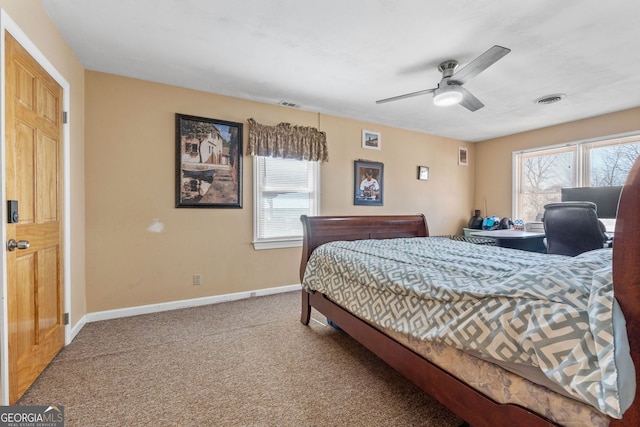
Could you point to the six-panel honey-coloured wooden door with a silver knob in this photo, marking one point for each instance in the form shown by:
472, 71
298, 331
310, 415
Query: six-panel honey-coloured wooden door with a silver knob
35, 302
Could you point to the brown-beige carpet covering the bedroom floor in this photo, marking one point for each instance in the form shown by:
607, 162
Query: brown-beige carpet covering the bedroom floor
242, 363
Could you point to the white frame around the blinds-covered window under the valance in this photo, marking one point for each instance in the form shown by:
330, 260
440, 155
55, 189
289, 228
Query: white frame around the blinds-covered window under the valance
284, 241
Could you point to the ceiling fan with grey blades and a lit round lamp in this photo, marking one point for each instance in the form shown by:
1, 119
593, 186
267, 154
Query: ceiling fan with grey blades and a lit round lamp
450, 91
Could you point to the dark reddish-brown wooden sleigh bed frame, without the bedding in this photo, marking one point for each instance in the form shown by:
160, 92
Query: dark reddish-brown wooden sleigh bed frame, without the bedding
469, 404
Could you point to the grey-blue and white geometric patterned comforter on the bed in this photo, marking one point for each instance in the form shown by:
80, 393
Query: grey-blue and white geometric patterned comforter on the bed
549, 311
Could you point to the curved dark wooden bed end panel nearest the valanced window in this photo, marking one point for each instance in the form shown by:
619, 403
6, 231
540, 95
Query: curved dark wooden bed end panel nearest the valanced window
319, 230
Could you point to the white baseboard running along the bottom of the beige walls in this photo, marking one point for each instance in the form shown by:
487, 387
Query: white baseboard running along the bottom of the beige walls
173, 305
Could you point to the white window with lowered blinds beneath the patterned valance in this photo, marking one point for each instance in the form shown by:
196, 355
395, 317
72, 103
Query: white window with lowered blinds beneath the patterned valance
284, 189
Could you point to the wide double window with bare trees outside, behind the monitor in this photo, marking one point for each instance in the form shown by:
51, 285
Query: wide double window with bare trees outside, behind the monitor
541, 173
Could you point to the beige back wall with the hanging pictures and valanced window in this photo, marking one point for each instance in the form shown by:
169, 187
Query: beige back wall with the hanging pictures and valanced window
130, 157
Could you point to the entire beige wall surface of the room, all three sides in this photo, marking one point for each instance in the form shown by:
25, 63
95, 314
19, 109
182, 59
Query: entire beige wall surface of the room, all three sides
130, 180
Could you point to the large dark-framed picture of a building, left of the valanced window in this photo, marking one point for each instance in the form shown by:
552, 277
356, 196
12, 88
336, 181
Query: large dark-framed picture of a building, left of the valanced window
208, 163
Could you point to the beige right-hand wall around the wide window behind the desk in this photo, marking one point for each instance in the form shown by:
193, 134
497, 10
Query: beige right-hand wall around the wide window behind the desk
493, 181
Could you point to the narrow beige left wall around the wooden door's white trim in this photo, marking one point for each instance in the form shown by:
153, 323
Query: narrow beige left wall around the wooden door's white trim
35, 23
